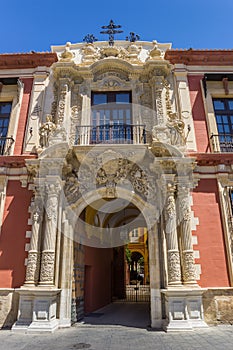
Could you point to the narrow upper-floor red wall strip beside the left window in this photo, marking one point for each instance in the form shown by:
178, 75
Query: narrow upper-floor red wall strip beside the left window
23, 115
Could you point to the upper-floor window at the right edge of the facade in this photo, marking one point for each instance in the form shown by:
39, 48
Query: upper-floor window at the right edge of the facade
224, 118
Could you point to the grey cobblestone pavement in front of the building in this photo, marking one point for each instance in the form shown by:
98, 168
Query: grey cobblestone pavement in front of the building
97, 337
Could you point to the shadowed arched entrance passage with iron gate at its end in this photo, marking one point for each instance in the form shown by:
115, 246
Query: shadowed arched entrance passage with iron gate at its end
116, 247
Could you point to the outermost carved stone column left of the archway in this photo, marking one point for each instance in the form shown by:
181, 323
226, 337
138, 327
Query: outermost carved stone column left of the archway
33, 263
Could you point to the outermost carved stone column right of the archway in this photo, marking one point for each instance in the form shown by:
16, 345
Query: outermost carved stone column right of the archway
188, 264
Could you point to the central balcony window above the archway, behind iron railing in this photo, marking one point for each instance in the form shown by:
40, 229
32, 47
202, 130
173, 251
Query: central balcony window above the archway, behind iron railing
111, 117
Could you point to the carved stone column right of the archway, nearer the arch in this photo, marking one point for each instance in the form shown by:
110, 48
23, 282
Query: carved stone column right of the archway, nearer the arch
173, 255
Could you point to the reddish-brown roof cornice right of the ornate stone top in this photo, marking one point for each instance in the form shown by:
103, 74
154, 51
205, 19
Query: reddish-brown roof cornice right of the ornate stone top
200, 57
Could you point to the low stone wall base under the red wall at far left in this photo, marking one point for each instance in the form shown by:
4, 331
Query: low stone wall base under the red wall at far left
9, 301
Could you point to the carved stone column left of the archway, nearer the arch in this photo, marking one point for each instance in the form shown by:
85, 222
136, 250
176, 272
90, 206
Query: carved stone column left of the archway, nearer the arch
50, 232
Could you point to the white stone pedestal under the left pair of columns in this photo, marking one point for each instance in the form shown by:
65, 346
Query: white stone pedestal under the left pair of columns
37, 310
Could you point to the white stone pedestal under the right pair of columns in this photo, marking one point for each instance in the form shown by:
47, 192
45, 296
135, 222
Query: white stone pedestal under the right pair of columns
184, 309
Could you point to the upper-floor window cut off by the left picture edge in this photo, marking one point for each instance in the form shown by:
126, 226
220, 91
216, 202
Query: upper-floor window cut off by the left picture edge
5, 143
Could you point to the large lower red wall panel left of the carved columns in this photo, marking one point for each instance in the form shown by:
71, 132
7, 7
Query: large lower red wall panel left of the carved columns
12, 237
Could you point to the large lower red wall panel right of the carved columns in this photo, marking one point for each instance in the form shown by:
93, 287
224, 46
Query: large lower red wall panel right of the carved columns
210, 237
